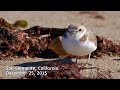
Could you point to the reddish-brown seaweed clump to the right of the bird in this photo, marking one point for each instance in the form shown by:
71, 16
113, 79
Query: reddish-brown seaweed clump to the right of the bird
107, 47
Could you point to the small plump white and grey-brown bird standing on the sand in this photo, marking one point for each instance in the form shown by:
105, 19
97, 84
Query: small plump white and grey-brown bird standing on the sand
79, 41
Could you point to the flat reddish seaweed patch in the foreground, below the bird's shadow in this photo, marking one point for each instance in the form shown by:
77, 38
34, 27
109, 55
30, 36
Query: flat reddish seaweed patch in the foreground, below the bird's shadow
65, 71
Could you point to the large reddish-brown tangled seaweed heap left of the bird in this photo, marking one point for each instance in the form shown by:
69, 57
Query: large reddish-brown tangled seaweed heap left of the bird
15, 42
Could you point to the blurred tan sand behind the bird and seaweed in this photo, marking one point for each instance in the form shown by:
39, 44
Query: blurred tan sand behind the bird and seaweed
104, 23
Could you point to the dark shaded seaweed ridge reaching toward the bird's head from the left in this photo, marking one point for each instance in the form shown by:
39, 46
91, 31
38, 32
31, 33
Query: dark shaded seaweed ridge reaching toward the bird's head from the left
37, 31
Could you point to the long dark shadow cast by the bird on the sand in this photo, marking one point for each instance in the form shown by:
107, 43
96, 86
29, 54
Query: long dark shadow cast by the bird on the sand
35, 64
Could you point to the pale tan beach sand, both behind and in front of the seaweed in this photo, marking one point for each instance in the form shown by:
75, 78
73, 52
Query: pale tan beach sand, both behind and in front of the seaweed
108, 28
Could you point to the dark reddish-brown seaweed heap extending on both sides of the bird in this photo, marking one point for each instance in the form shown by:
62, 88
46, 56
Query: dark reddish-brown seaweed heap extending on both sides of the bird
33, 42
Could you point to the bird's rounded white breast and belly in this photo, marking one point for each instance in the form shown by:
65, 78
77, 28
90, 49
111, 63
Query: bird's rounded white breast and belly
77, 48
